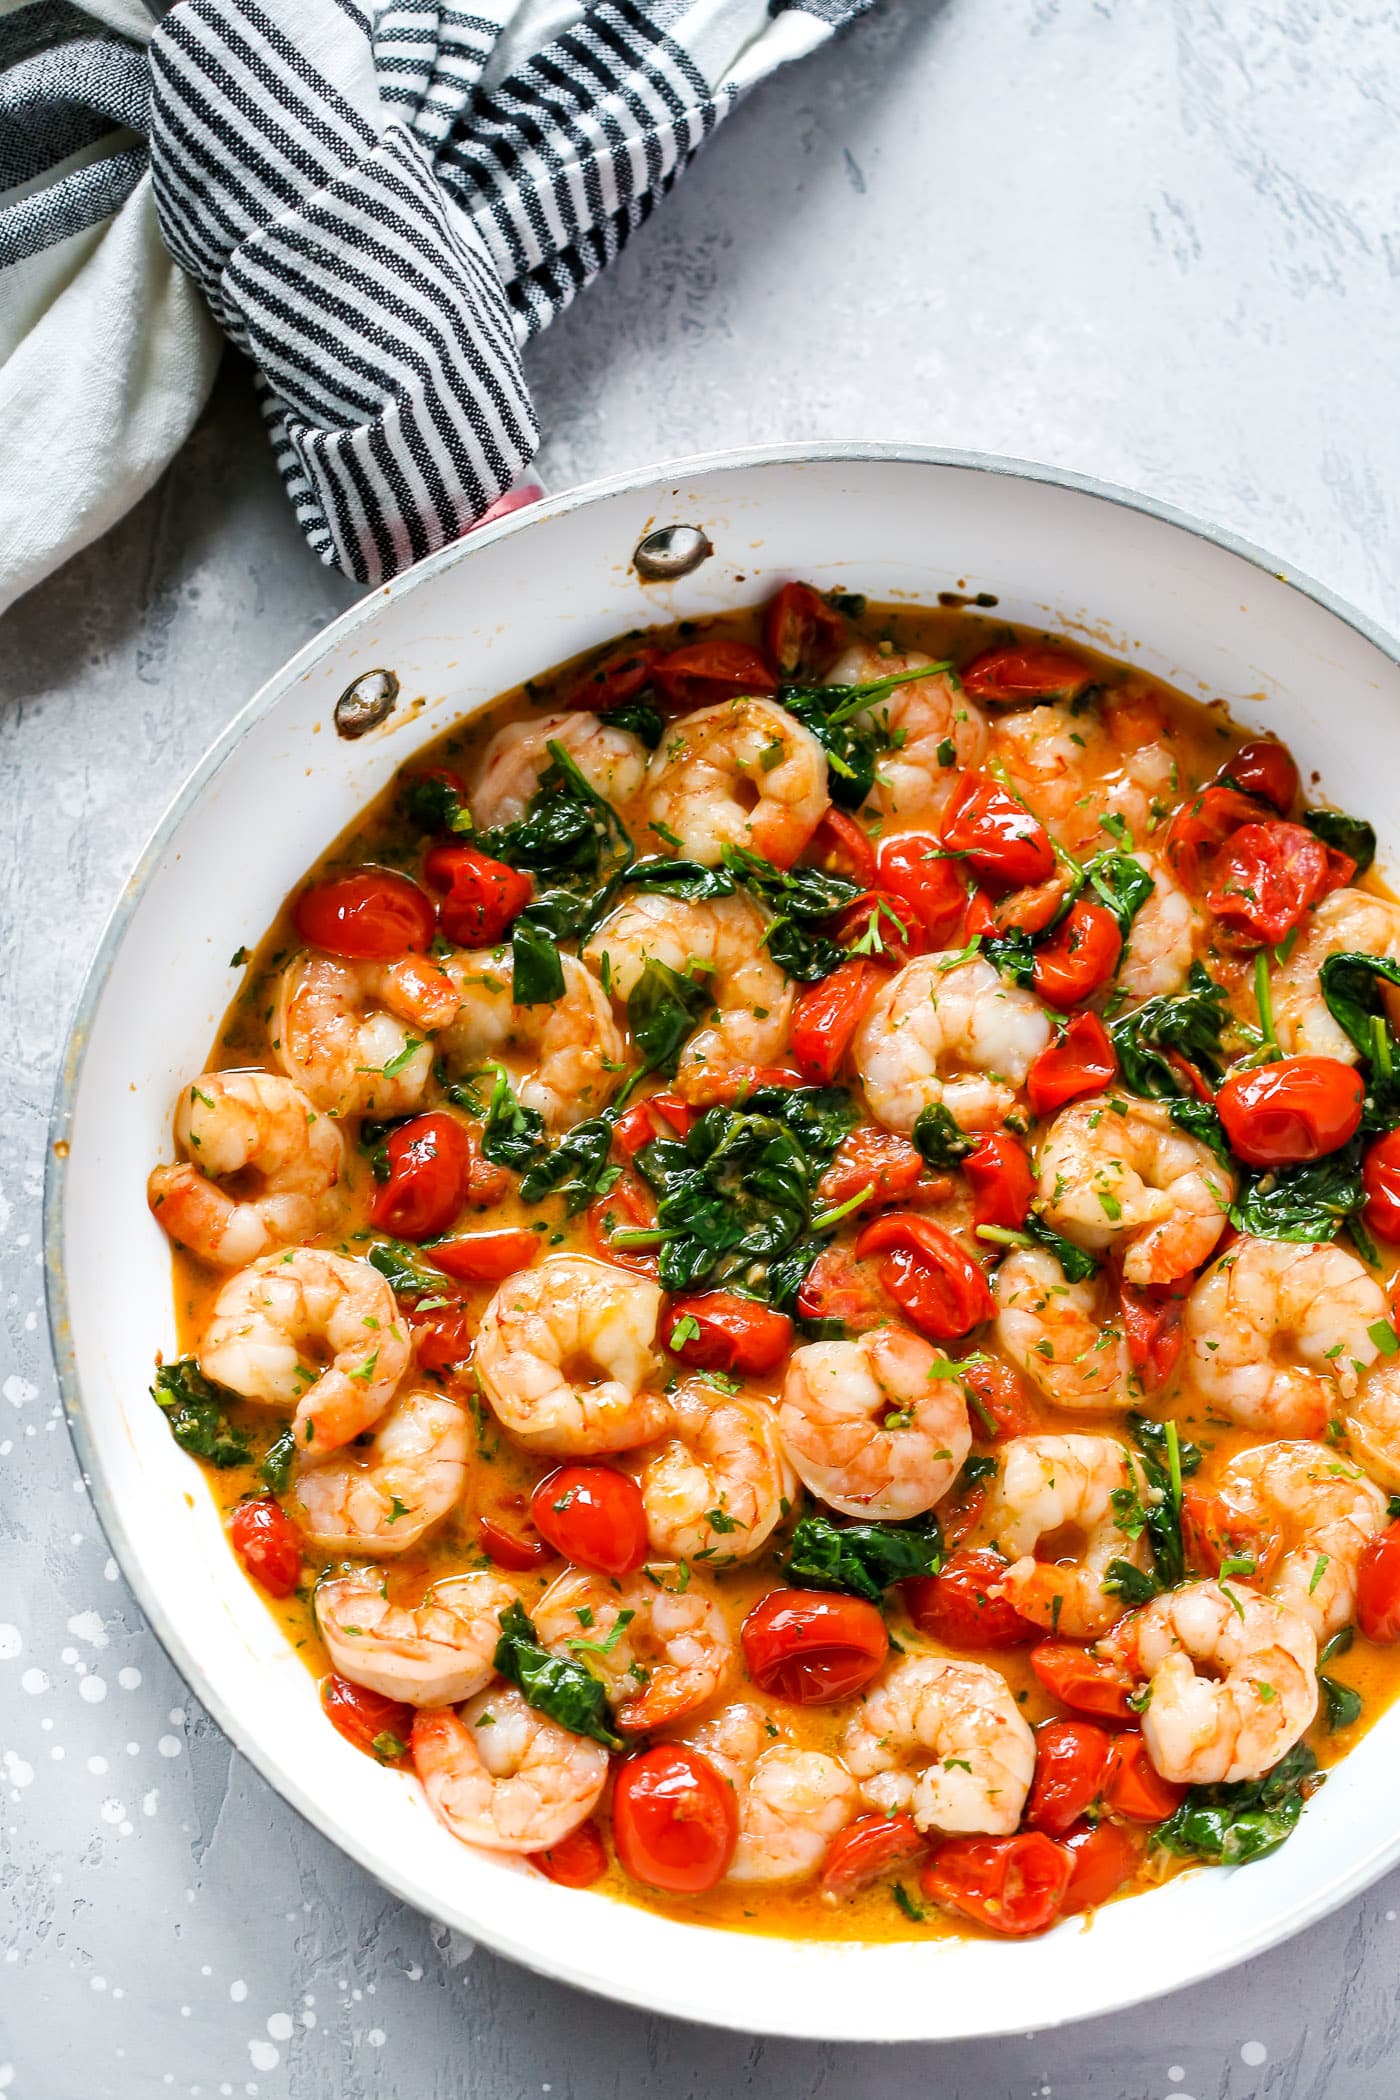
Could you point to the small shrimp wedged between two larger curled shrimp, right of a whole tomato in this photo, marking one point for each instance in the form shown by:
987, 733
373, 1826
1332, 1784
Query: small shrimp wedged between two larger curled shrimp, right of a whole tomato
721, 1484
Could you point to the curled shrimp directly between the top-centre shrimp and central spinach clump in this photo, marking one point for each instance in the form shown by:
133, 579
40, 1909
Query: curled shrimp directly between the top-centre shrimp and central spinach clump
719, 942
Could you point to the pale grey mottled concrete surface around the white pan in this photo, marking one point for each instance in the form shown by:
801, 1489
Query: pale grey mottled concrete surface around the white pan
1149, 243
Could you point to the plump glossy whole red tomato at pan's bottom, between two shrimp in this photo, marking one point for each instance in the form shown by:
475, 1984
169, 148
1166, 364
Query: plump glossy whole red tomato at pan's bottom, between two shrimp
675, 1820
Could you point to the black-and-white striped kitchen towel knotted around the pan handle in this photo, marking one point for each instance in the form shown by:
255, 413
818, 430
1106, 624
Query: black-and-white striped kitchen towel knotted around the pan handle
381, 207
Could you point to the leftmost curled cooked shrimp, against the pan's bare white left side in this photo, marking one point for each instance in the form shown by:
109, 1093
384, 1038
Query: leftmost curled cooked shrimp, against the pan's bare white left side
259, 1133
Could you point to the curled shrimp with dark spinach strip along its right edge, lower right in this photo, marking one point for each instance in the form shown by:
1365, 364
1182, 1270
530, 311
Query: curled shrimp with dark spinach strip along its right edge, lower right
1072, 1494
